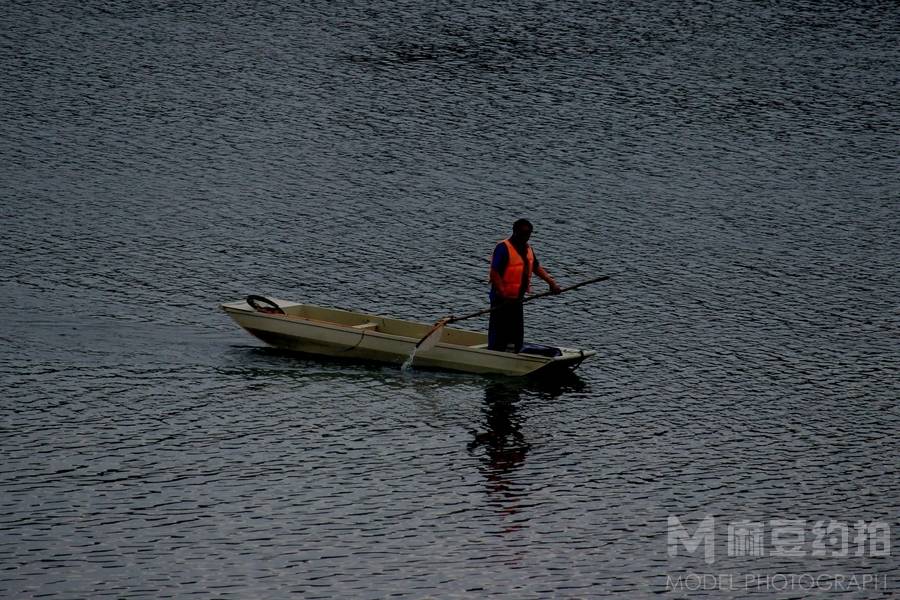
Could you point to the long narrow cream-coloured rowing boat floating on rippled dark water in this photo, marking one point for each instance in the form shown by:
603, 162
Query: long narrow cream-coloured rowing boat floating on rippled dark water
332, 332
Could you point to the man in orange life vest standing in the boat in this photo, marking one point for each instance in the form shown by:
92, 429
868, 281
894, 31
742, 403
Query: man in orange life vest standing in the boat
512, 264
